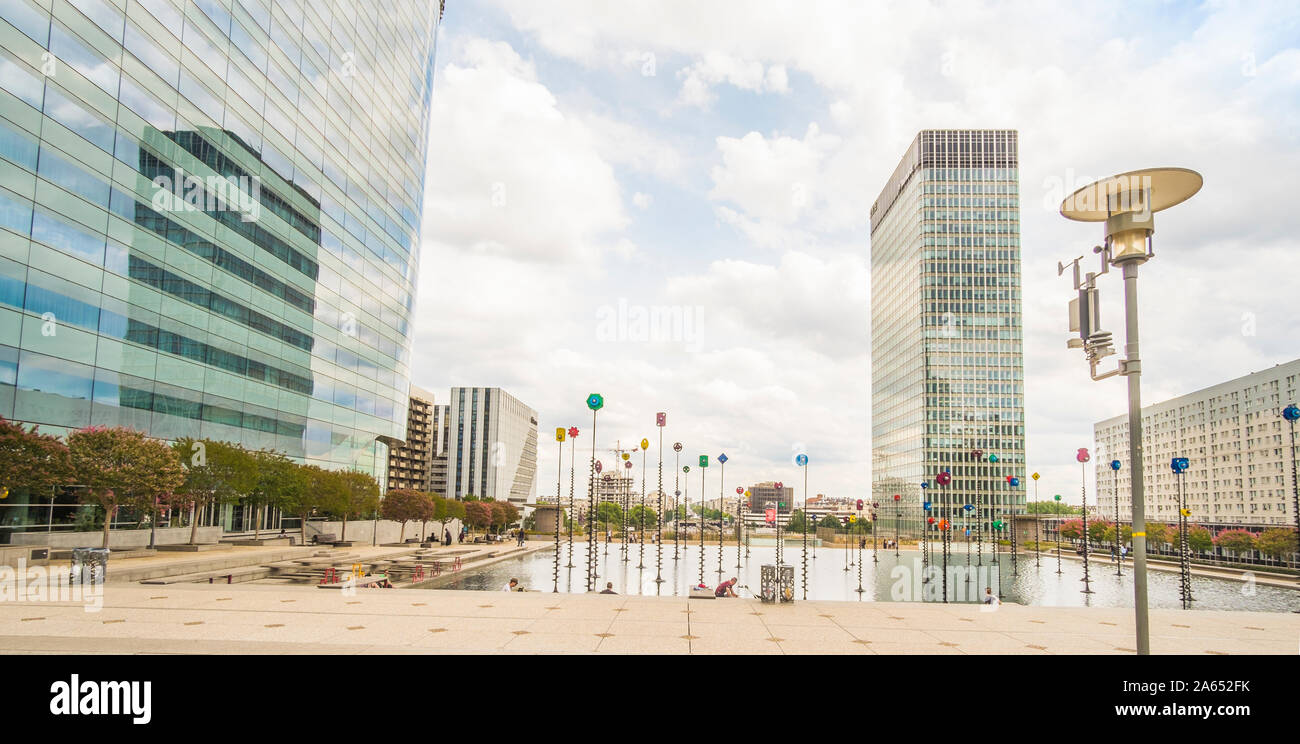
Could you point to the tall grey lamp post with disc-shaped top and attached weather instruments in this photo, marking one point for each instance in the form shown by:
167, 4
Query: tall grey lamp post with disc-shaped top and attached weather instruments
1126, 204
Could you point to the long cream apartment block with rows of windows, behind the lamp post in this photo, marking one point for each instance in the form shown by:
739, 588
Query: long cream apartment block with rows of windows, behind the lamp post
1236, 442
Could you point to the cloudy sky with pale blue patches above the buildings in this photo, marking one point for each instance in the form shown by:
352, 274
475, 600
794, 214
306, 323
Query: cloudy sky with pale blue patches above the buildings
669, 204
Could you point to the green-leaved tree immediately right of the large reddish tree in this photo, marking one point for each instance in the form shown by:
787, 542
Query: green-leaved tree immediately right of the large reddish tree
215, 473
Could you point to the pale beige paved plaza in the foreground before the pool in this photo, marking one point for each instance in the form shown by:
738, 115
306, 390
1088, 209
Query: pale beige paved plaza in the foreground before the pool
291, 620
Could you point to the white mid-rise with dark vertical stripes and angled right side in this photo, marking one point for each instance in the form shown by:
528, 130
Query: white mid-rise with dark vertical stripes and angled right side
492, 452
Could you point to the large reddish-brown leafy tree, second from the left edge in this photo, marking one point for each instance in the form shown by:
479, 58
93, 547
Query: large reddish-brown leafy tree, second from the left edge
123, 468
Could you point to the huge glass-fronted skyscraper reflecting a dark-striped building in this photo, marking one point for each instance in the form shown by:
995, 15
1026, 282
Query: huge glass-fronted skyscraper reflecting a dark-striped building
210, 218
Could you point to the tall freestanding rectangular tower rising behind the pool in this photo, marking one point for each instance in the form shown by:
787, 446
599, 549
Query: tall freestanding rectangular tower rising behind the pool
947, 362
